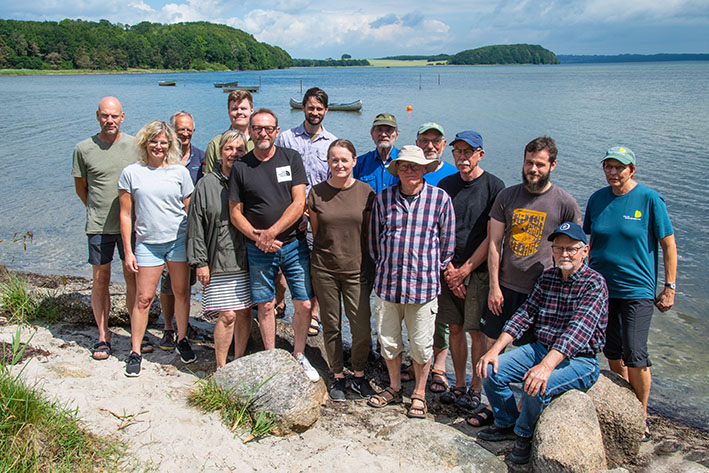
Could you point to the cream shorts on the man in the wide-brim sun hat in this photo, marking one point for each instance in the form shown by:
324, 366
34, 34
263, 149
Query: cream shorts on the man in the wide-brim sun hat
420, 320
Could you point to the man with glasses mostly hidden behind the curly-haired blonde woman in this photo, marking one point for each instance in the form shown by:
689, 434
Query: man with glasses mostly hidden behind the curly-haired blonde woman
193, 159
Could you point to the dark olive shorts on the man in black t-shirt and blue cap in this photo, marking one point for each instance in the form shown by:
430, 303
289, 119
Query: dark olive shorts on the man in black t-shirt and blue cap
466, 312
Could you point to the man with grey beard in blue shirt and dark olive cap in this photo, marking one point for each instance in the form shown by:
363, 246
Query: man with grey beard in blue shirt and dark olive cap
372, 167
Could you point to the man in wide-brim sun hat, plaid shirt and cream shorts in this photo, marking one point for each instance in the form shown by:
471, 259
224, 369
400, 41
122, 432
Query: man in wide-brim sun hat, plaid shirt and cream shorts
411, 240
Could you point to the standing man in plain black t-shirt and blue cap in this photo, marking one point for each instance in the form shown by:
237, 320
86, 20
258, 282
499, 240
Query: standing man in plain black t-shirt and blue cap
465, 281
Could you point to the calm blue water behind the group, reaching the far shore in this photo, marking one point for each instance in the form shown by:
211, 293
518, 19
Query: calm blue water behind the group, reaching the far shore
657, 109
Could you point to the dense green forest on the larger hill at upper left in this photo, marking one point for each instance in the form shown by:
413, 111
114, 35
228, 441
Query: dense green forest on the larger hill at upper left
78, 44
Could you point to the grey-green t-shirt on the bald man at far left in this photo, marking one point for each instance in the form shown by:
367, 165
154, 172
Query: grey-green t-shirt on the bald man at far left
101, 164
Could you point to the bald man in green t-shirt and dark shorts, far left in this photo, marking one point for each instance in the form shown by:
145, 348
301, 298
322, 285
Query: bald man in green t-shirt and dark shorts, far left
97, 165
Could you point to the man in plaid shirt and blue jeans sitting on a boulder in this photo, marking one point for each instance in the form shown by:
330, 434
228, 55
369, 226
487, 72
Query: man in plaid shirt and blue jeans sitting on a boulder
568, 311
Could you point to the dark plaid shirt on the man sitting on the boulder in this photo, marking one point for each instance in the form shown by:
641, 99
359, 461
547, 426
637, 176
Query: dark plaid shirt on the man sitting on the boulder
568, 316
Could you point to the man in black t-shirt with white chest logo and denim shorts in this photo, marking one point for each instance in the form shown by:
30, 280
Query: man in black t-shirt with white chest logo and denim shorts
266, 203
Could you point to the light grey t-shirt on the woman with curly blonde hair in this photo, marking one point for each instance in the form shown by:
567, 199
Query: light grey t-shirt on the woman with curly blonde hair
157, 194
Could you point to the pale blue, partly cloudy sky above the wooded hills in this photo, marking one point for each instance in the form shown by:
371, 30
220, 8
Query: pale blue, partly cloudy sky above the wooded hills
320, 29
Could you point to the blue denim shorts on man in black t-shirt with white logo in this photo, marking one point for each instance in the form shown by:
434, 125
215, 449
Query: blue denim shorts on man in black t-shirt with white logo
294, 261
